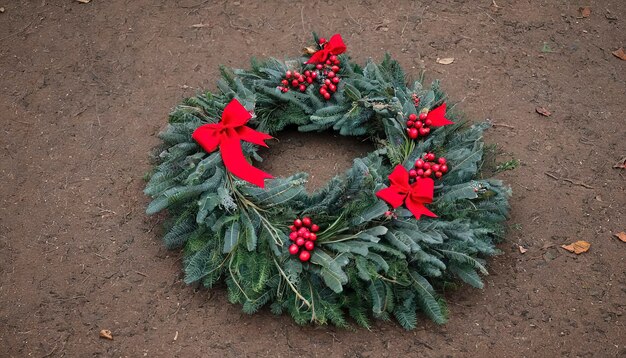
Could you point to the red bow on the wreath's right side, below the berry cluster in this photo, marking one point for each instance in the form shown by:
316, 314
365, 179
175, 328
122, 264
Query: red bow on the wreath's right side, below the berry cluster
413, 196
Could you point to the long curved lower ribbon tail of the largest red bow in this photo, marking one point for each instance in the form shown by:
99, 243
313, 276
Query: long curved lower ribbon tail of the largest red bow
236, 163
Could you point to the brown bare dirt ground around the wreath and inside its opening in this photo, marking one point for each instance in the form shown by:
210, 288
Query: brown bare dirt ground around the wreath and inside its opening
85, 88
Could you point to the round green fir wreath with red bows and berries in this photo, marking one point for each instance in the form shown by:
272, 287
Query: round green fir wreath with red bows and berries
412, 216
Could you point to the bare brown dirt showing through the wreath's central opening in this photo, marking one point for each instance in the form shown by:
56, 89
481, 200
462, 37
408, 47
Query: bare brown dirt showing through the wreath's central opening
321, 155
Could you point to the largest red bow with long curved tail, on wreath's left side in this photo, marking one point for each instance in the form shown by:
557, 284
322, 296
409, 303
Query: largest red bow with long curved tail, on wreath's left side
227, 134
